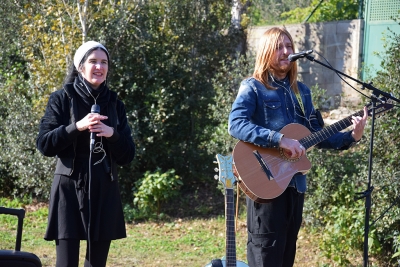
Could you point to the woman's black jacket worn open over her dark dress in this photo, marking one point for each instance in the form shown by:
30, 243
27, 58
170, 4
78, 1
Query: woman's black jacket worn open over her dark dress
58, 133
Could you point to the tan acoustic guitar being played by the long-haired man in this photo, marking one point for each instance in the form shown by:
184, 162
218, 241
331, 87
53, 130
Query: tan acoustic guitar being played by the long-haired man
265, 173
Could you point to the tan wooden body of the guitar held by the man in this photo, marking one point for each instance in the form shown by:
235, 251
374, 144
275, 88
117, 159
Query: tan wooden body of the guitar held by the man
260, 185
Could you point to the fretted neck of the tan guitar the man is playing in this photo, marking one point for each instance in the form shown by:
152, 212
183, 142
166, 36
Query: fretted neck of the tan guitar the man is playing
325, 133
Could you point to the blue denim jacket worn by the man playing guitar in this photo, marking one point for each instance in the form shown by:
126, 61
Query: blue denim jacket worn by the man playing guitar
259, 113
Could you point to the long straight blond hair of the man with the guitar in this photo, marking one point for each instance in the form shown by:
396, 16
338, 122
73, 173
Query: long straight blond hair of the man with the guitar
267, 45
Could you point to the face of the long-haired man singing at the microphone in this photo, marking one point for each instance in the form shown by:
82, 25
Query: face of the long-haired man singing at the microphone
280, 62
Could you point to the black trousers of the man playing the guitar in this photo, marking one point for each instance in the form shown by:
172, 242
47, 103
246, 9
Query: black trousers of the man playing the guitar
273, 228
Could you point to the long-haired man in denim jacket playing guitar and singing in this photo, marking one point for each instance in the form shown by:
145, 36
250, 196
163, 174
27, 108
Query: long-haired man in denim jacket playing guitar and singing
266, 102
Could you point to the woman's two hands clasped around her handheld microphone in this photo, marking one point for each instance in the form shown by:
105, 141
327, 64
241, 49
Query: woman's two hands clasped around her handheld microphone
92, 122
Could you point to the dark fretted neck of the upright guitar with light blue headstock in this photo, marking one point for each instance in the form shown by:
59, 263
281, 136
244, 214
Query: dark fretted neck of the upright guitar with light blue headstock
230, 228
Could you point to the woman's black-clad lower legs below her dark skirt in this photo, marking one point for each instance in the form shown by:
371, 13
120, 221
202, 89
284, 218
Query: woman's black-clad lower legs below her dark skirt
68, 253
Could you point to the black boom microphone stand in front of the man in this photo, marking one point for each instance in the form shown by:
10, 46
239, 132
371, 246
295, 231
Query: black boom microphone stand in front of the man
367, 193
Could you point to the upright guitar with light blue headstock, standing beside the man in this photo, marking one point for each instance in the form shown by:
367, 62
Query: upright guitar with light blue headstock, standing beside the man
227, 178
